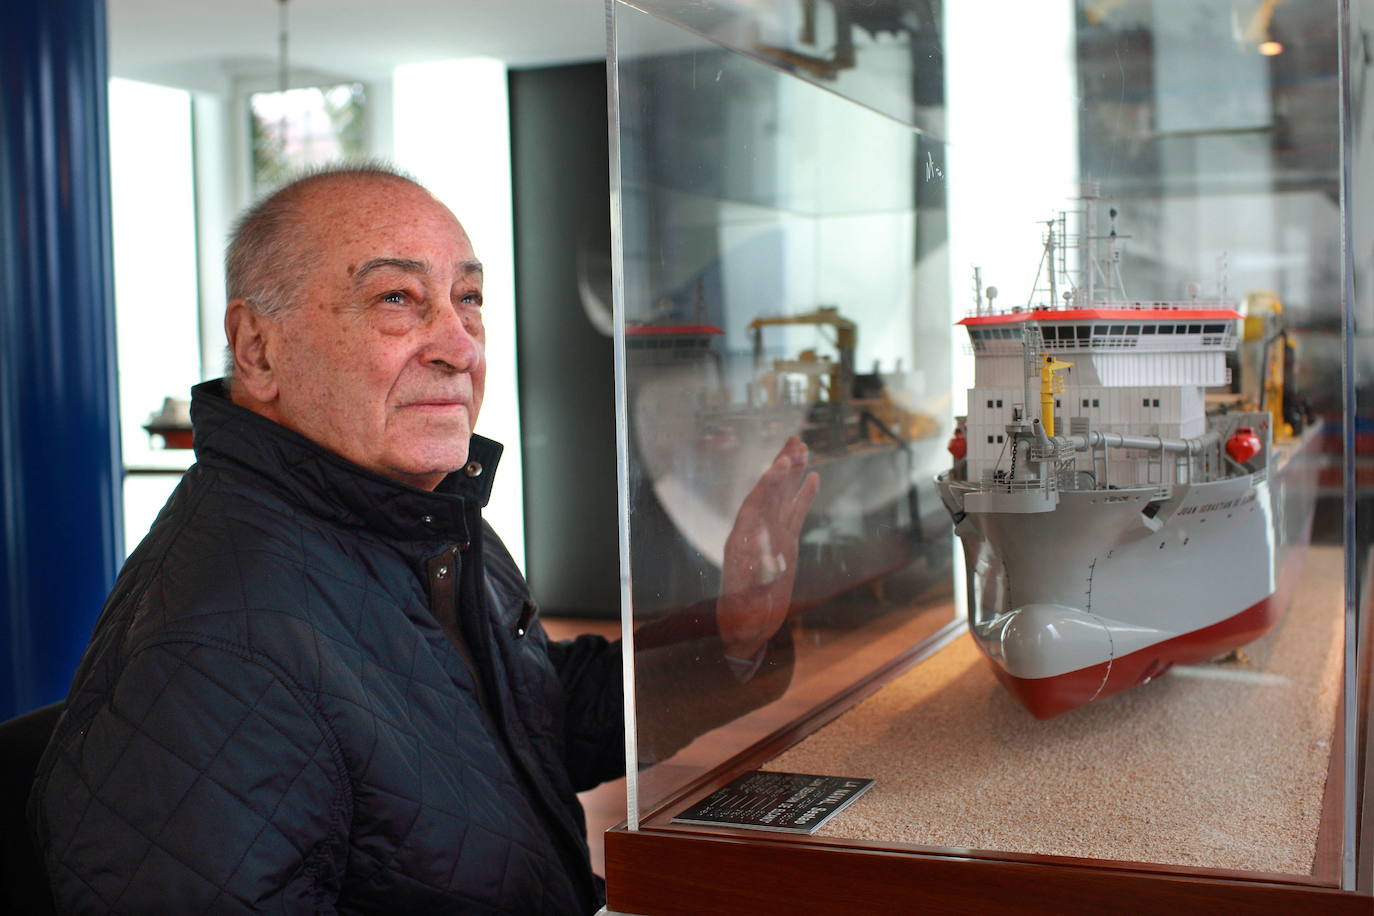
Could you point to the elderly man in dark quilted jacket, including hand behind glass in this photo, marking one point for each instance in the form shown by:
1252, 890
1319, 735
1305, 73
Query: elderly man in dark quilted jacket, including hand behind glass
319, 683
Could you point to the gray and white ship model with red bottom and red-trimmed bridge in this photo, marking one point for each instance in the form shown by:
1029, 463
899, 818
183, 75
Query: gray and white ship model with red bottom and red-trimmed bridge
1115, 523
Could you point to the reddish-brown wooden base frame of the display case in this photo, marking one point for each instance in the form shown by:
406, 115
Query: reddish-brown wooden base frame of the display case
668, 869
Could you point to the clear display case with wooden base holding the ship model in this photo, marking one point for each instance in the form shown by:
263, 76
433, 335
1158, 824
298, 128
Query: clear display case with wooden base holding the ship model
994, 400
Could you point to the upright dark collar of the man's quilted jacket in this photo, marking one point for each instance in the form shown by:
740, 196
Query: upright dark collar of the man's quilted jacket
335, 488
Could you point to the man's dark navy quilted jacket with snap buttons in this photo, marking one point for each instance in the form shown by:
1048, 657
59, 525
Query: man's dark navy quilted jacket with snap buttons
273, 715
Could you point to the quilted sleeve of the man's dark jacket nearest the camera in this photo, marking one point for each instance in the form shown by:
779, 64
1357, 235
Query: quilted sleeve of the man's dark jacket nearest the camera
201, 782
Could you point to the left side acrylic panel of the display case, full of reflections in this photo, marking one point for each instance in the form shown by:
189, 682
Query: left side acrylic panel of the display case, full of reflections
776, 240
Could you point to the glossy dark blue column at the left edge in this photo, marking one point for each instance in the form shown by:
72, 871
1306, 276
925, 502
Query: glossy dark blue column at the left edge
60, 461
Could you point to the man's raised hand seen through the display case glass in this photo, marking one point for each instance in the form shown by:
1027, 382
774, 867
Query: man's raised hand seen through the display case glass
761, 565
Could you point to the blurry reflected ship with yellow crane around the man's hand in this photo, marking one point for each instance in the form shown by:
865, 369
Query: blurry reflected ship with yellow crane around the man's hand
704, 444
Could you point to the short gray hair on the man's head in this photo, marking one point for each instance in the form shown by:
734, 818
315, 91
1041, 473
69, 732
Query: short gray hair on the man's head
269, 256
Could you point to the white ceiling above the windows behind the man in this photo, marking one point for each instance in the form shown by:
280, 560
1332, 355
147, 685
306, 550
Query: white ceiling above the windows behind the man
203, 45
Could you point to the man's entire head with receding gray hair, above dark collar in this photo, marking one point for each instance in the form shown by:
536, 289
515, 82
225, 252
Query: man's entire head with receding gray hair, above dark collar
357, 322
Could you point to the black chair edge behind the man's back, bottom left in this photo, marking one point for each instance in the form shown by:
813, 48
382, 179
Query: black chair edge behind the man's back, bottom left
24, 885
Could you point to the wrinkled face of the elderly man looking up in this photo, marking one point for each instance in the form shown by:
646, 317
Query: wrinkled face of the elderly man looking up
384, 359
